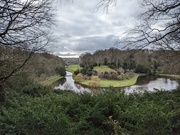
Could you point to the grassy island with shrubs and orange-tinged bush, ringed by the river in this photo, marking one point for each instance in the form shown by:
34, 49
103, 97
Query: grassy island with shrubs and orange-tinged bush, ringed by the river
103, 76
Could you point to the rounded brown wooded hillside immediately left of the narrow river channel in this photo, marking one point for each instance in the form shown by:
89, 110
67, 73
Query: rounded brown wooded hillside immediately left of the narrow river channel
43, 65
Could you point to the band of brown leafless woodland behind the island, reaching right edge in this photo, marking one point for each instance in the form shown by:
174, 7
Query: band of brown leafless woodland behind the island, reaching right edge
145, 61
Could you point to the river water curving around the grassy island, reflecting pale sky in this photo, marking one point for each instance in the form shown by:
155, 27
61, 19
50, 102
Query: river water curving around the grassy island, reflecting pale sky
148, 83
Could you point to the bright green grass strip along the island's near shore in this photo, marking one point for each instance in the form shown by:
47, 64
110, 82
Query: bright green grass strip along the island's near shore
115, 83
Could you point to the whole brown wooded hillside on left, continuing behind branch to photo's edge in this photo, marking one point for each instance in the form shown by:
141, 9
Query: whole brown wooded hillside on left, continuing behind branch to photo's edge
39, 66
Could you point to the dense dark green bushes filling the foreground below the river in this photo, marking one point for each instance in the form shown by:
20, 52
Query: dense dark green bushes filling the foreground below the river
105, 113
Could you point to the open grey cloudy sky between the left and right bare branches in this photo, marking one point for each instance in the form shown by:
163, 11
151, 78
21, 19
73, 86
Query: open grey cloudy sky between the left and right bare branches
80, 27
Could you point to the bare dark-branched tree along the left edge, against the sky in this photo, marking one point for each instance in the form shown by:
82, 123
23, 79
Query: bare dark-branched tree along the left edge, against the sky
23, 27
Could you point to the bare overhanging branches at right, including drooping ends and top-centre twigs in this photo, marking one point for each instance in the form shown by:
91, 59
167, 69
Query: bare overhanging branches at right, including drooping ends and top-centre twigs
158, 28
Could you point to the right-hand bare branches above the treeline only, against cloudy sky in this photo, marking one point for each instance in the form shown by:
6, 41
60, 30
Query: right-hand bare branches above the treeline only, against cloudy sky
159, 25
